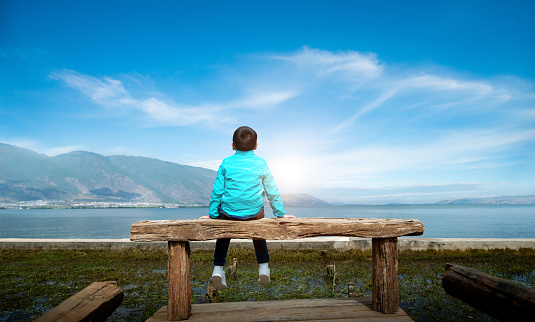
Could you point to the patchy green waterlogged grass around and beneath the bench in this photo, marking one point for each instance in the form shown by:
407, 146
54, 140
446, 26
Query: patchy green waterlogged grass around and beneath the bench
34, 281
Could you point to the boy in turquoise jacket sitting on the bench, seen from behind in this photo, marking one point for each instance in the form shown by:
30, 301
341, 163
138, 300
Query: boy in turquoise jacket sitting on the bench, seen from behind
242, 180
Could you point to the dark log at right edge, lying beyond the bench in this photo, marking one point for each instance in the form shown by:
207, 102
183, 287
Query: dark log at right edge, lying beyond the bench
499, 298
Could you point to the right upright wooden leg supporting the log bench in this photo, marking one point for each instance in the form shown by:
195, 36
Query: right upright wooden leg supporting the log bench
385, 275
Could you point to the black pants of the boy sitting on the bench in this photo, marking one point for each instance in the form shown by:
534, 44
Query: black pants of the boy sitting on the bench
222, 244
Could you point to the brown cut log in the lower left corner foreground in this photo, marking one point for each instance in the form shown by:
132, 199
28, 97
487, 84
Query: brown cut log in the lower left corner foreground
94, 303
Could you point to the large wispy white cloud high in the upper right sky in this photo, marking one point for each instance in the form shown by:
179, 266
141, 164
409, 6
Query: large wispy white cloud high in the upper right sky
366, 86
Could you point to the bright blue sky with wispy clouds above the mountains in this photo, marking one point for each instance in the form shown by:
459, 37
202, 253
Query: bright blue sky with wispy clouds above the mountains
354, 101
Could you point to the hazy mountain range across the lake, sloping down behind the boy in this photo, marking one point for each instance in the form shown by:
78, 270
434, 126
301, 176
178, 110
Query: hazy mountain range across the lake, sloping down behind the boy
82, 176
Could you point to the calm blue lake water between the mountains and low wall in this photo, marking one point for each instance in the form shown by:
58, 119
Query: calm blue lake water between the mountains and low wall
440, 221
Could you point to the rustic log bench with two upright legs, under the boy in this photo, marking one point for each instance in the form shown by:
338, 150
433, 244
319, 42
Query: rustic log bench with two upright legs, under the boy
178, 234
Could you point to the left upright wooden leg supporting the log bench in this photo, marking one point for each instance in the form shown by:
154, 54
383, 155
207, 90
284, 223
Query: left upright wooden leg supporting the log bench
179, 307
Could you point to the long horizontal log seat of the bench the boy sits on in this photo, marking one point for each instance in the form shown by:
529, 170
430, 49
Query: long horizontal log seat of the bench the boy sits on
272, 228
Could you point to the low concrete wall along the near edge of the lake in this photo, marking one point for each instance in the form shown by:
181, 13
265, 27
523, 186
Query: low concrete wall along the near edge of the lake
318, 243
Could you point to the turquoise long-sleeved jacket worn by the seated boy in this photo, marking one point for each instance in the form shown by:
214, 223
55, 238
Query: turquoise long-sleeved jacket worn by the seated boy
242, 180
